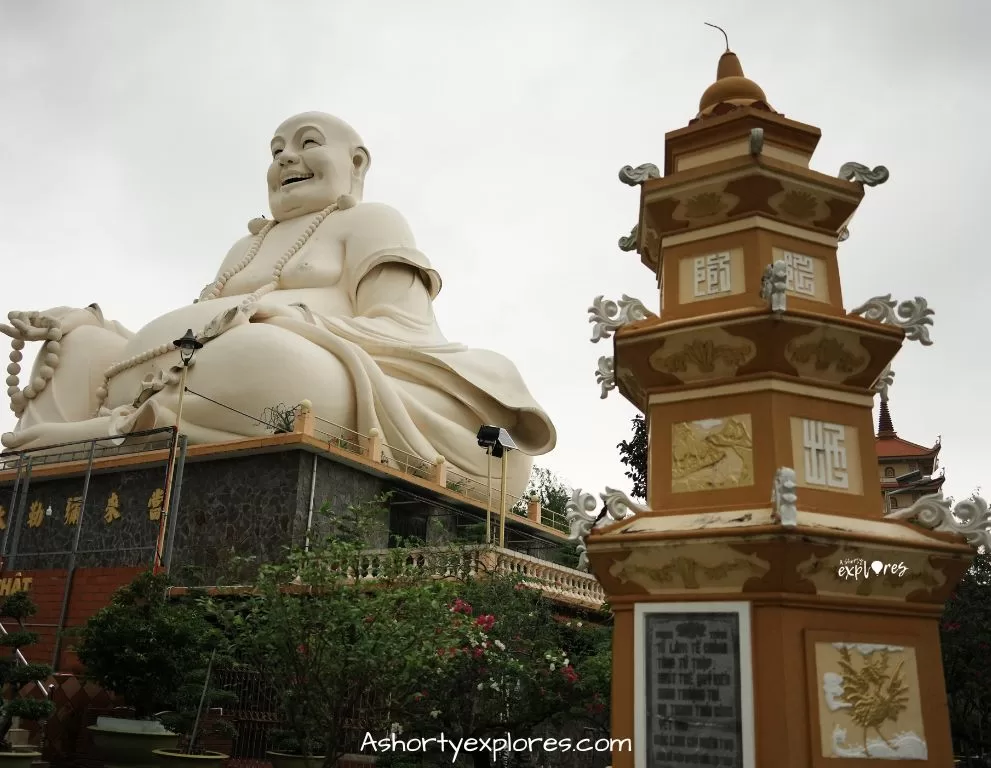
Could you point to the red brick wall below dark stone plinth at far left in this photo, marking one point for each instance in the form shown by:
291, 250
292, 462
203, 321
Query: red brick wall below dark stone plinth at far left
91, 591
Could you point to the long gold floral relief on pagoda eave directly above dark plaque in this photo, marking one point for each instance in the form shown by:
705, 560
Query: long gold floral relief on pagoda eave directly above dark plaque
690, 570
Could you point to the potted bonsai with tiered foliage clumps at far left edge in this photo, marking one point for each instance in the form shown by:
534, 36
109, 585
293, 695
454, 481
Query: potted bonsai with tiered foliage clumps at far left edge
15, 675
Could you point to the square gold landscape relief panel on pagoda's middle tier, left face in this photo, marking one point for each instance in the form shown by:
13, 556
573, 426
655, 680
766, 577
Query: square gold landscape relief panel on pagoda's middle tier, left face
711, 454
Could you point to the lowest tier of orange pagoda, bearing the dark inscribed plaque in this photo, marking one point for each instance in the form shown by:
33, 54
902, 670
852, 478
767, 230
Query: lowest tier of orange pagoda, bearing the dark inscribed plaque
741, 642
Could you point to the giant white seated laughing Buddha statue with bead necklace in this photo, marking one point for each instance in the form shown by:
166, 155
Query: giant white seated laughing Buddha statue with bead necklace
329, 301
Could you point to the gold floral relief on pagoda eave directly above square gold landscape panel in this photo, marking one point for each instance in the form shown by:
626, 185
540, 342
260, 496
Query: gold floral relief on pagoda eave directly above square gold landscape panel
708, 354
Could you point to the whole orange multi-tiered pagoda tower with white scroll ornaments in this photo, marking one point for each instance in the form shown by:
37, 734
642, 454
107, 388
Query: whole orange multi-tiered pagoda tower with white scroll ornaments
769, 613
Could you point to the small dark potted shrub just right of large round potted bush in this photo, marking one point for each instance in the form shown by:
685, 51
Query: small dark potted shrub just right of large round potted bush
192, 723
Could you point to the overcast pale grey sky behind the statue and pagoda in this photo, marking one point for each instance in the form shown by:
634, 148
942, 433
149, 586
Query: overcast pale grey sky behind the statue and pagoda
134, 143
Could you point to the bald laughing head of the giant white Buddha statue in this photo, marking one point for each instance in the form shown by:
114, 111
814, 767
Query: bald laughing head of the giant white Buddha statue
316, 158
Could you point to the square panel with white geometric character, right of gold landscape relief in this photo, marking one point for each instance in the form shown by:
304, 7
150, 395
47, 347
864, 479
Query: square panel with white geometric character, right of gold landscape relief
826, 456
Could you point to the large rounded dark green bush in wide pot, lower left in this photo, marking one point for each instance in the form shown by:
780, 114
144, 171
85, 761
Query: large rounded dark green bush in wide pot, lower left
141, 647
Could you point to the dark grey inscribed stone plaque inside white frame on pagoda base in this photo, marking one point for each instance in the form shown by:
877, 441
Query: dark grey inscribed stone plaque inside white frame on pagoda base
694, 707
